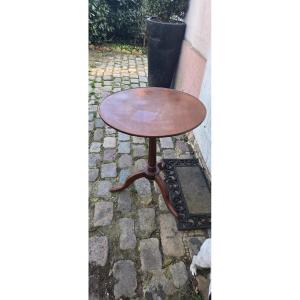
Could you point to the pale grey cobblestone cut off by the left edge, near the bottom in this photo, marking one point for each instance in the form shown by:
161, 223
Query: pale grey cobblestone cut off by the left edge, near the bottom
98, 250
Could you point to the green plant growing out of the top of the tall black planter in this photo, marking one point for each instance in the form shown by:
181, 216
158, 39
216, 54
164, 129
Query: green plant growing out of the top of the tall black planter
167, 10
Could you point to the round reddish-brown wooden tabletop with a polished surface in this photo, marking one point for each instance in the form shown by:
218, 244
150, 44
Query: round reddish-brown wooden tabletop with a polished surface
152, 112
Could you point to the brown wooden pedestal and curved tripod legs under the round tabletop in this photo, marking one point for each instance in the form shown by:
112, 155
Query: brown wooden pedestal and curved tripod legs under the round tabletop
151, 173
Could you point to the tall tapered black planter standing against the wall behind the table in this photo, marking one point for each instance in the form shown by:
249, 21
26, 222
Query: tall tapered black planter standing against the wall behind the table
164, 44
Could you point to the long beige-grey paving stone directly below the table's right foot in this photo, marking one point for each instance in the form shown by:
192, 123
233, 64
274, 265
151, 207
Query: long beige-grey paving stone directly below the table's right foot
171, 238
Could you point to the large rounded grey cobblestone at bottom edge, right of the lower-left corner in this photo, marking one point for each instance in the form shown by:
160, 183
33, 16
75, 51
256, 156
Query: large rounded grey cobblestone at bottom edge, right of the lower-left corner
125, 275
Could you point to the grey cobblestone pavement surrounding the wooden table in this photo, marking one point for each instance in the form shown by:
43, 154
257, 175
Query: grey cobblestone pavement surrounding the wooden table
135, 249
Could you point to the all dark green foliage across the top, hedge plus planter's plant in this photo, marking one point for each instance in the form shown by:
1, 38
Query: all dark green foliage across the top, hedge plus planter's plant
124, 20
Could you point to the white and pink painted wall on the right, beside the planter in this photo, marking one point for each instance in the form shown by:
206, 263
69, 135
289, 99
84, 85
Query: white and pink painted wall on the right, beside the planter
193, 72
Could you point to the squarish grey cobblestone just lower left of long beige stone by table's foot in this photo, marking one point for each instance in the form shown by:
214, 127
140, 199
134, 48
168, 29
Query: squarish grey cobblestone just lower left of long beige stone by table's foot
150, 255
